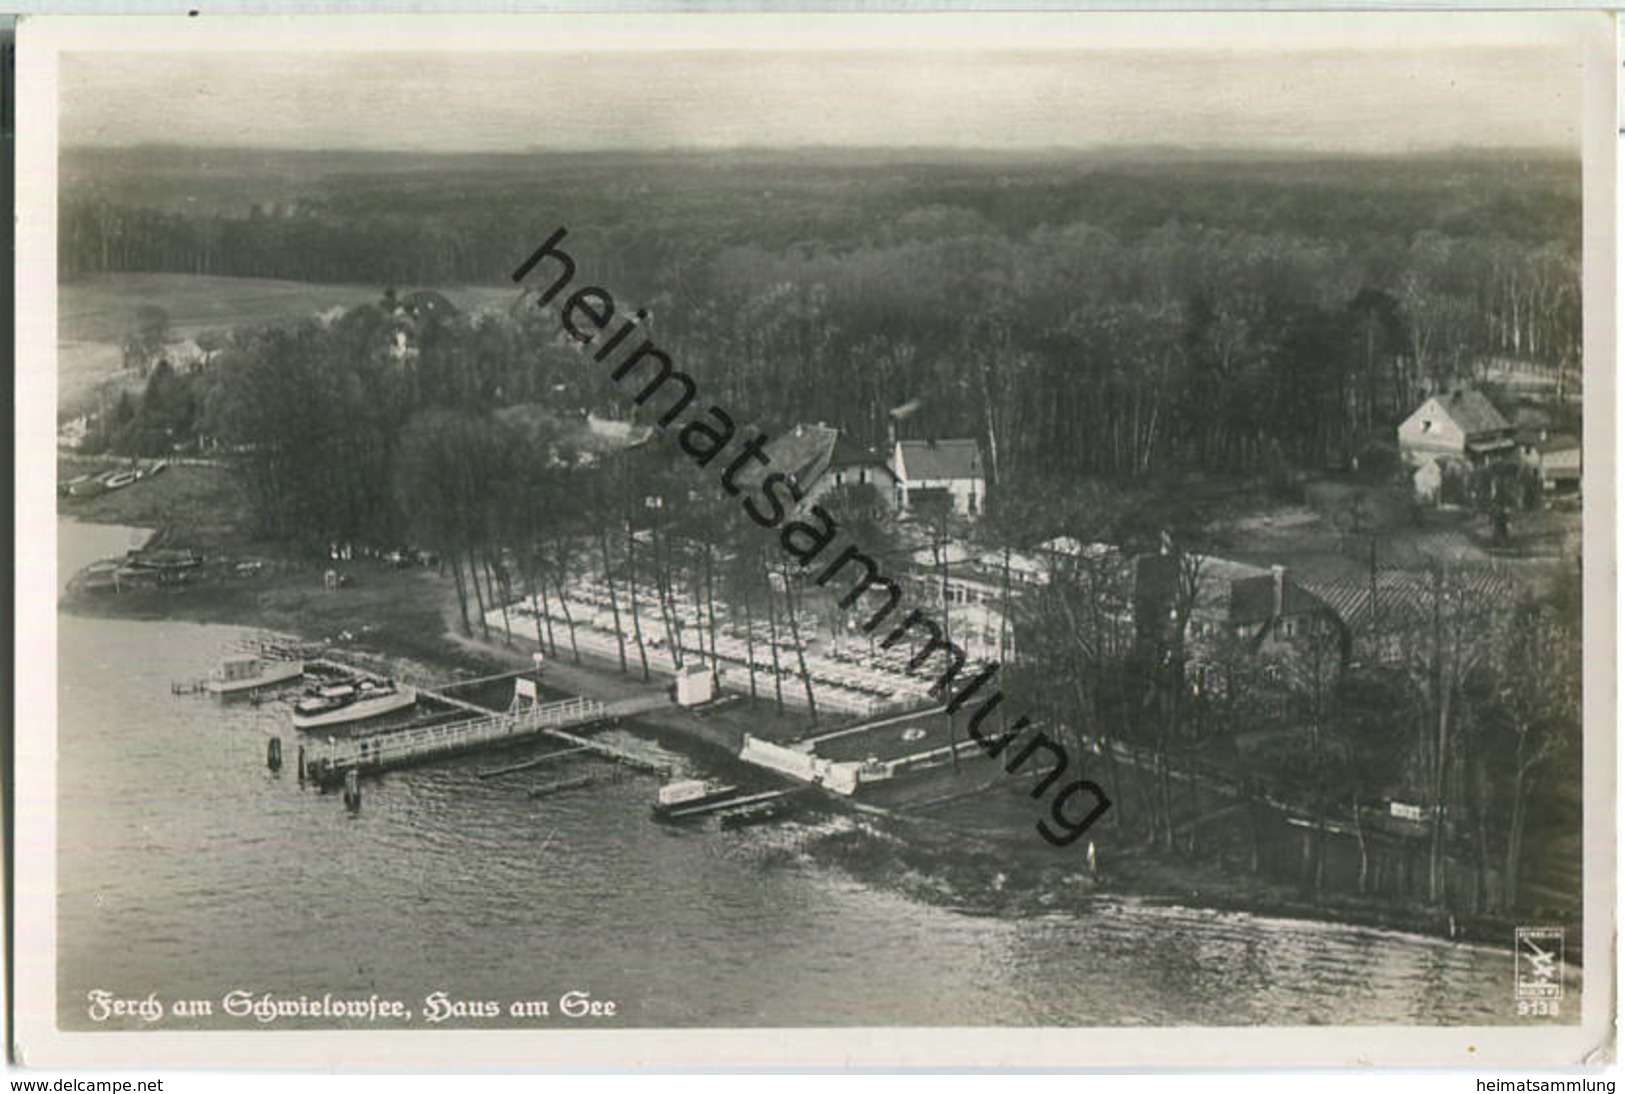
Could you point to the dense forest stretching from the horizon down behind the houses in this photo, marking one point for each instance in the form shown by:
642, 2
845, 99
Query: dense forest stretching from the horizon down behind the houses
1078, 321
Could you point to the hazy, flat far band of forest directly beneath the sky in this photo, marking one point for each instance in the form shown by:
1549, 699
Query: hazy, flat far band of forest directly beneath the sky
347, 217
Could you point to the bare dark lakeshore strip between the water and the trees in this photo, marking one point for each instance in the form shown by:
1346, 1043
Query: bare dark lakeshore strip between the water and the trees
919, 856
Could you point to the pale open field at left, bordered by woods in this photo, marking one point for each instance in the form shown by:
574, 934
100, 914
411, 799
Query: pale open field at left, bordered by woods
95, 315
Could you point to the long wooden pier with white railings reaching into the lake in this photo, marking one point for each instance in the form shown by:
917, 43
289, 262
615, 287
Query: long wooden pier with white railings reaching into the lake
414, 745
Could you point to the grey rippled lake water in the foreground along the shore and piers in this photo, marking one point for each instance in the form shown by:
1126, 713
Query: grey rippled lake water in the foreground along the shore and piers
189, 870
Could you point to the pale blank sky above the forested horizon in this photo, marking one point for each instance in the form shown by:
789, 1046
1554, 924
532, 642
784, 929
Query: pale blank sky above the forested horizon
1395, 89
